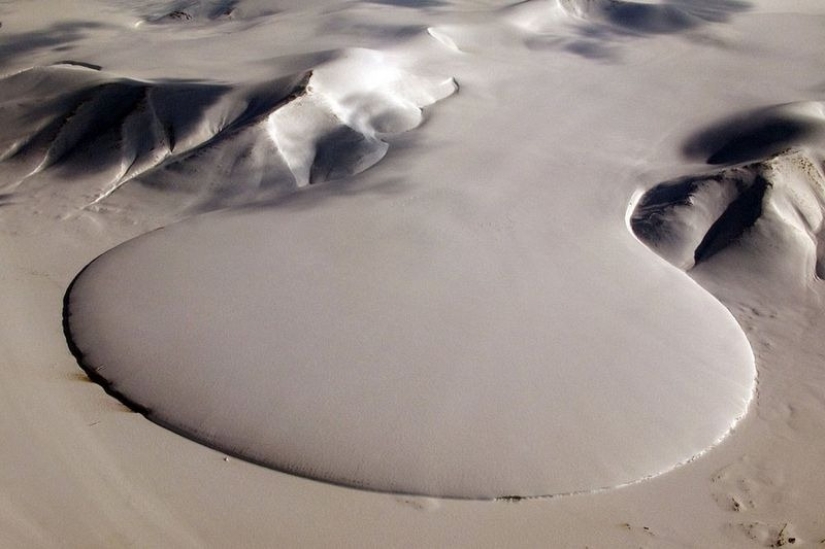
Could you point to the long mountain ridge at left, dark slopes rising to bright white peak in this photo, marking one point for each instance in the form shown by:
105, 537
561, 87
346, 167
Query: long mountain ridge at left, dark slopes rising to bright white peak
212, 144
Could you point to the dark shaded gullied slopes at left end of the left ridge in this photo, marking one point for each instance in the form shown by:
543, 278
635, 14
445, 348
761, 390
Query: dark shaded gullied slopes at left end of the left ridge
87, 127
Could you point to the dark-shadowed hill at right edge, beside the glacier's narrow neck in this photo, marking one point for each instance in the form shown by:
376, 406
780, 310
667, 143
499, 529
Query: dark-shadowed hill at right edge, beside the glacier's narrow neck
691, 219
